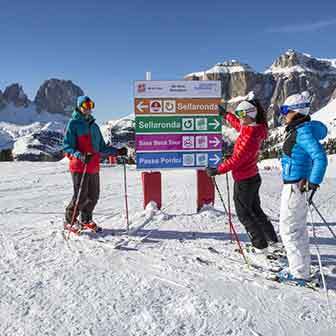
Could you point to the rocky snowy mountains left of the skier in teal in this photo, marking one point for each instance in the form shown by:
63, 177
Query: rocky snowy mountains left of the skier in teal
33, 130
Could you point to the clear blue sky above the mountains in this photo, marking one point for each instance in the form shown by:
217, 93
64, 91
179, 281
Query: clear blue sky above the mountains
104, 45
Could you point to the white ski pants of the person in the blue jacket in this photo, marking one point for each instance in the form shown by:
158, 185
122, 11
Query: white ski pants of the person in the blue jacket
293, 230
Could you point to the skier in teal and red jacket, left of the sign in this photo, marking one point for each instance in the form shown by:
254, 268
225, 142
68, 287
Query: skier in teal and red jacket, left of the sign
83, 143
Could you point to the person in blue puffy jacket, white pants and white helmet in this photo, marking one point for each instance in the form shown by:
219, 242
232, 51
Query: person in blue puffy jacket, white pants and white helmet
304, 163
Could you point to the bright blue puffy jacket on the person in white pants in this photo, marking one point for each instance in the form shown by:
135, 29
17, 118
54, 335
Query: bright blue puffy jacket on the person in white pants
304, 157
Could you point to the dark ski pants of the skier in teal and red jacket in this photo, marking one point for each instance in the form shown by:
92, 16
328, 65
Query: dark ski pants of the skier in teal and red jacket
88, 197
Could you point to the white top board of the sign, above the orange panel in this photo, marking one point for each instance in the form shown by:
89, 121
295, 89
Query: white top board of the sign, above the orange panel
177, 89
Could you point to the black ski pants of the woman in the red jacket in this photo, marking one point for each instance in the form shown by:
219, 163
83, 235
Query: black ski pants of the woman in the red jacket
247, 203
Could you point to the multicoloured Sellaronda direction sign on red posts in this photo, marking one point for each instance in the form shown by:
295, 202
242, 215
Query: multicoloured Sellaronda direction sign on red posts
178, 126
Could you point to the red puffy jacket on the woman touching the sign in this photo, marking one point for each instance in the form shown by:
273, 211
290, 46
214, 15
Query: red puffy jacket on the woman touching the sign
243, 162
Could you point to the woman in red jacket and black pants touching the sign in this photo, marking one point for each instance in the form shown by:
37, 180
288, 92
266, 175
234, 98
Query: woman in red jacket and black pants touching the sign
251, 123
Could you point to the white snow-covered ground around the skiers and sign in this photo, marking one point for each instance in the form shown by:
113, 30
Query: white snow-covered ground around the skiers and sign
49, 286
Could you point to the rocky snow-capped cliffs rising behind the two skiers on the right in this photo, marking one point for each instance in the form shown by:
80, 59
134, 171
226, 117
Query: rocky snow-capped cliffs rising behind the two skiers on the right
292, 72
